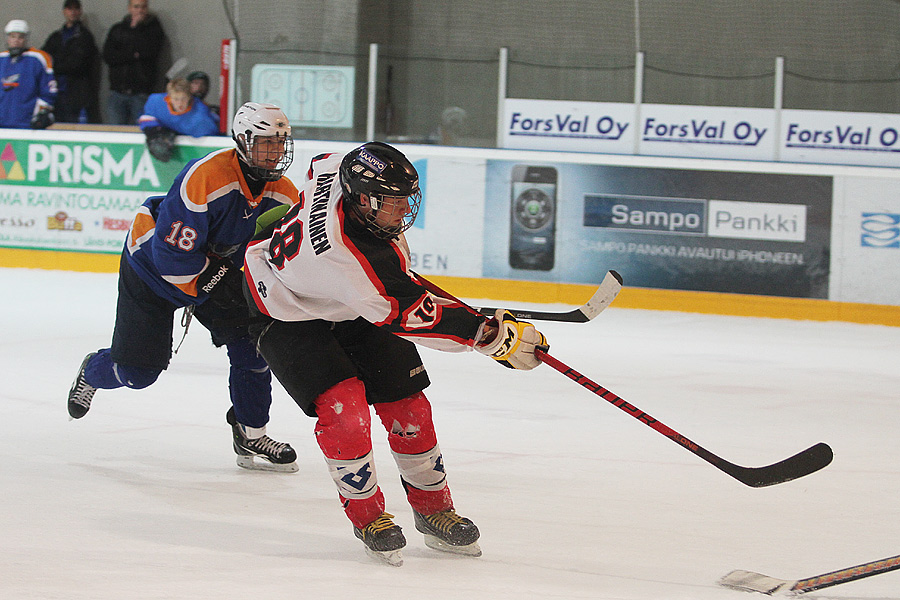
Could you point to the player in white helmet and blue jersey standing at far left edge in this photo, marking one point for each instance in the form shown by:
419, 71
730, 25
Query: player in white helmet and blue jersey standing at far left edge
29, 88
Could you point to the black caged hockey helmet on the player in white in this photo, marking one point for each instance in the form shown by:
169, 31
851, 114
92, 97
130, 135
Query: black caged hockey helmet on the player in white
390, 182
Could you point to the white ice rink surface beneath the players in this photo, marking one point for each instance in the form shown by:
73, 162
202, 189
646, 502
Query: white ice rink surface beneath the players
574, 498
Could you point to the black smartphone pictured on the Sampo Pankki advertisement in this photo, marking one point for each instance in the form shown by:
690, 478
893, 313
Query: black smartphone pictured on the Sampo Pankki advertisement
532, 238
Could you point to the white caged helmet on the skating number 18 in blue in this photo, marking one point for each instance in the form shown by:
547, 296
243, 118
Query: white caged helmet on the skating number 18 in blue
254, 120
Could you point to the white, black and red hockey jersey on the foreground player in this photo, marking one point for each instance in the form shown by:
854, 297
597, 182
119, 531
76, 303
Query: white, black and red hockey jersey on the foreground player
318, 263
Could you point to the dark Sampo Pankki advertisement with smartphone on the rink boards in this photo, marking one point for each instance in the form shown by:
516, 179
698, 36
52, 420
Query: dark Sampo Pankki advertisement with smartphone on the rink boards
718, 231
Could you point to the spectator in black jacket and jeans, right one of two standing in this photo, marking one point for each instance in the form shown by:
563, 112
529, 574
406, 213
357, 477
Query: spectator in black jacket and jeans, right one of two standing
131, 51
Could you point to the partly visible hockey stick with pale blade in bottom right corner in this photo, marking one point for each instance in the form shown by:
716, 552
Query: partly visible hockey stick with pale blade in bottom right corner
748, 581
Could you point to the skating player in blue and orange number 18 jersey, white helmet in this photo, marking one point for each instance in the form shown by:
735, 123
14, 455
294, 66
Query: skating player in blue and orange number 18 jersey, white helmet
186, 249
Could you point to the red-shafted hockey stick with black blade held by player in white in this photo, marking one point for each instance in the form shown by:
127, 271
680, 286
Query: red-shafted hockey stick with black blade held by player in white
809, 461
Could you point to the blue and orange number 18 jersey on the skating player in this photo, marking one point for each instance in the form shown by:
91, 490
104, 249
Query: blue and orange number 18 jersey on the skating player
208, 210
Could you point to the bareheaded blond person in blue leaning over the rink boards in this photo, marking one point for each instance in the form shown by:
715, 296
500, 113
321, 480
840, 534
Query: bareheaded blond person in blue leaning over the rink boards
176, 112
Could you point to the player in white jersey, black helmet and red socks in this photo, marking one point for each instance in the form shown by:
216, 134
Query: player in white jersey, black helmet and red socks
345, 313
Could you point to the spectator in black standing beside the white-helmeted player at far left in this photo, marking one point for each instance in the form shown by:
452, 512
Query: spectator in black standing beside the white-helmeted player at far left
74, 54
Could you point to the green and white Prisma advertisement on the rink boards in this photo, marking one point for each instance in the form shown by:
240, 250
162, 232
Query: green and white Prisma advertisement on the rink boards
78, 195
